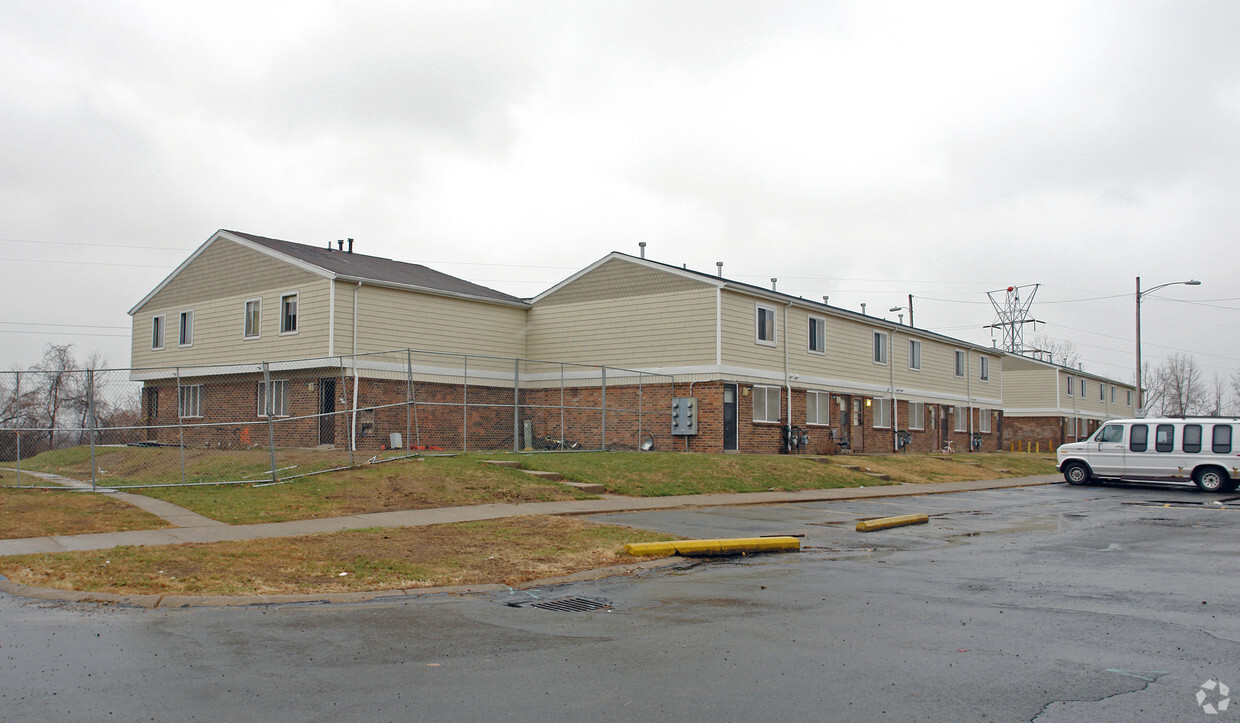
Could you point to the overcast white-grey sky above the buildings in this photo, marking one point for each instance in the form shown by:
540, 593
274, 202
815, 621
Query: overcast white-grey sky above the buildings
860, 151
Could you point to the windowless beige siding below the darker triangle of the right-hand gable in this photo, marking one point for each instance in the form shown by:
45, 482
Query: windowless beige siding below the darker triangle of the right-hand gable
657, 330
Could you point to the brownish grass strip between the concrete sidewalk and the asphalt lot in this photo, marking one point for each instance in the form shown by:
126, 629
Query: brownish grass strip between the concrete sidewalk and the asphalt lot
497, 551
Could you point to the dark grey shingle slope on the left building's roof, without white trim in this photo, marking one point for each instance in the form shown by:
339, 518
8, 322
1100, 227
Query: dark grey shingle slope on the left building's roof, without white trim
378, 270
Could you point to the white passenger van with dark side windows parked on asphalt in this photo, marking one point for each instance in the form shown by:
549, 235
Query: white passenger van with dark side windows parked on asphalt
1203, 450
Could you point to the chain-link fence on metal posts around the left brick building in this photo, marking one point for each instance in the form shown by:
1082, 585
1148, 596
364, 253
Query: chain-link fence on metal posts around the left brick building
270, 422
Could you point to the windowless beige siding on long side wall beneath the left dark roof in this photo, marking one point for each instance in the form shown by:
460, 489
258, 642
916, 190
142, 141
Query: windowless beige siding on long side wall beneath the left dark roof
391, 319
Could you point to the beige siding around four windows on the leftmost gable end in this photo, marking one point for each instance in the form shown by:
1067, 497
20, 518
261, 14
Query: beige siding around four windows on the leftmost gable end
216, 287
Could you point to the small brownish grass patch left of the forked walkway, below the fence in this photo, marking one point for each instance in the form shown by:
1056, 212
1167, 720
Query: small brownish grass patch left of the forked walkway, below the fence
43, 513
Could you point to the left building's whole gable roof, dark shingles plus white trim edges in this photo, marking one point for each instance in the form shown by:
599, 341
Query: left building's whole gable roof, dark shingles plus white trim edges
350, 267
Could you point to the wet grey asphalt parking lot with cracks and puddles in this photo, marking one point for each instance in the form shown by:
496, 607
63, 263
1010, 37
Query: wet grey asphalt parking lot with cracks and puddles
1048, 603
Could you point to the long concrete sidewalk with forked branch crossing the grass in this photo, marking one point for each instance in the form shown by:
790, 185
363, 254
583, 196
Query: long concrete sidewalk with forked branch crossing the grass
193, 528
